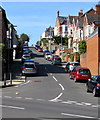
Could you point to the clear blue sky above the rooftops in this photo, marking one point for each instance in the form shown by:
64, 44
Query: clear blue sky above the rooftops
32, 18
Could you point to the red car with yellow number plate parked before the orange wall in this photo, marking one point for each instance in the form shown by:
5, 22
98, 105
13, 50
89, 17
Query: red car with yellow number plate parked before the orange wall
80, 73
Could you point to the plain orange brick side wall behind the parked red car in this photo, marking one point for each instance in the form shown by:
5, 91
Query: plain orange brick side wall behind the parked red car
90, 59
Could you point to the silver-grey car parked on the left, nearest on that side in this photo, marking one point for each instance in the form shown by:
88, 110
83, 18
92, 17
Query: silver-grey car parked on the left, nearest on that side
29, 68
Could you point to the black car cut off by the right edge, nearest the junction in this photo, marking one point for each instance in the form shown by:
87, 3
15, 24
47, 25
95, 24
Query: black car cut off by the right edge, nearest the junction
93, 85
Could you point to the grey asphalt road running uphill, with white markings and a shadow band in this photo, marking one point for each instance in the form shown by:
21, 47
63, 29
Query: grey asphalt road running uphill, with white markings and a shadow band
50, 95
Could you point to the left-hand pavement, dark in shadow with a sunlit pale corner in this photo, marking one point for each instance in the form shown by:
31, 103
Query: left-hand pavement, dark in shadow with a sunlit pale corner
15, 77
